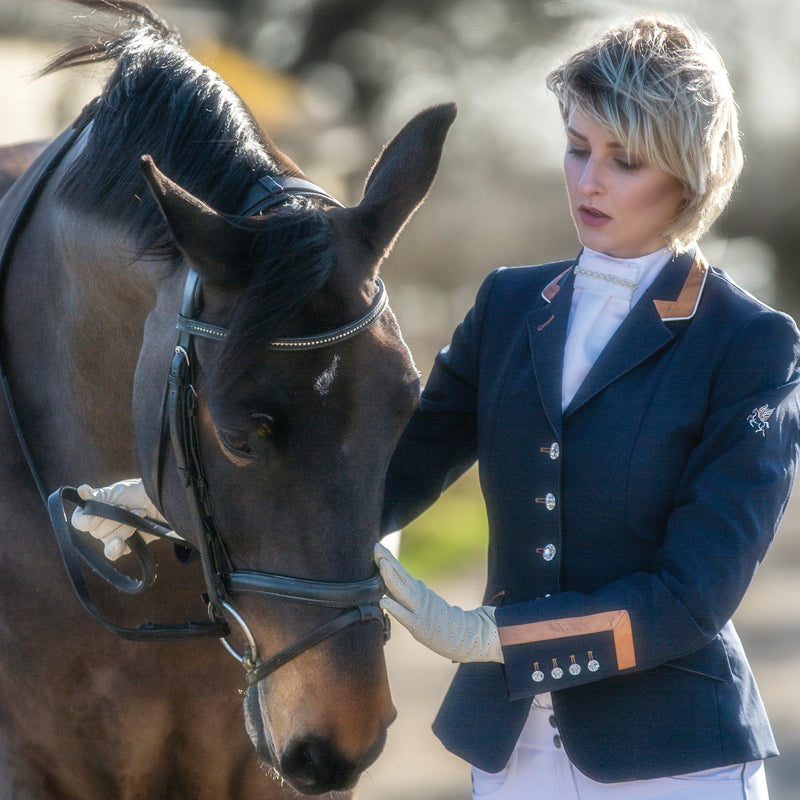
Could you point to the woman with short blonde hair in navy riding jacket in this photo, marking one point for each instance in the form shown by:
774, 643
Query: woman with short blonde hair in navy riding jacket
635, 418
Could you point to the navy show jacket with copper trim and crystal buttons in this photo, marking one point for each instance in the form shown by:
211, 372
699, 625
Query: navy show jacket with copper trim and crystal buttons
624, 532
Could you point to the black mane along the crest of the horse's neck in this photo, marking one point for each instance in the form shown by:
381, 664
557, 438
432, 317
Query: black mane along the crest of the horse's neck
160, 101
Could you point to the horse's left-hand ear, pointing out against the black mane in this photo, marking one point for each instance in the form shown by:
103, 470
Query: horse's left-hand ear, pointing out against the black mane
214, 246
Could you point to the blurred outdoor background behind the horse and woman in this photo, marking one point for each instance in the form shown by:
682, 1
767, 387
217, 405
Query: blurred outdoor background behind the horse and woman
330, 81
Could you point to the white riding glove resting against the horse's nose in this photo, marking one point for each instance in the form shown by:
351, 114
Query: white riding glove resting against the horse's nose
447, 630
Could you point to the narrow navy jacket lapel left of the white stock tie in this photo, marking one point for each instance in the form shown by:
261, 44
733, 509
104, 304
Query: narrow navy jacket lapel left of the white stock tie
547, 332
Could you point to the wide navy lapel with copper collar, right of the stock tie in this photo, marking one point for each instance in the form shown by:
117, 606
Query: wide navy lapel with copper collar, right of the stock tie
673, 297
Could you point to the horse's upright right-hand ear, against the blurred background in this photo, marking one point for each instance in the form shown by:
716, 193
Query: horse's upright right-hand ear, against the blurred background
402, 176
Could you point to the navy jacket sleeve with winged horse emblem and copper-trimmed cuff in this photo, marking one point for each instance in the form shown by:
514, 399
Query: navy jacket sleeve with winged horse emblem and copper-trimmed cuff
731, 497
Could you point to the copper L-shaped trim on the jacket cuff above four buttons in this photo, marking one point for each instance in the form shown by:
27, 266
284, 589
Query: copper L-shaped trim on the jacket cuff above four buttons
617, 622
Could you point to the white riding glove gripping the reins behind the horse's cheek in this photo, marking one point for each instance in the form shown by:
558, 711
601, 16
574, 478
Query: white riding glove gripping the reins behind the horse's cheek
129, 494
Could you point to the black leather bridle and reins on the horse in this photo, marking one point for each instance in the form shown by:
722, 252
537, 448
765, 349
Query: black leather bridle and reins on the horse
357, 600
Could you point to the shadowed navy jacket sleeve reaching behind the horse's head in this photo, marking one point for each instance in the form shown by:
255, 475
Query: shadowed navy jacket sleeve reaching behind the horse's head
439, 443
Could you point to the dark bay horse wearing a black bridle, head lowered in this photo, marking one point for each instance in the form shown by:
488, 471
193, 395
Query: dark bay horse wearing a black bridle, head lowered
241, 357
